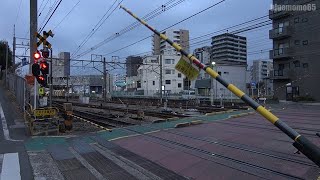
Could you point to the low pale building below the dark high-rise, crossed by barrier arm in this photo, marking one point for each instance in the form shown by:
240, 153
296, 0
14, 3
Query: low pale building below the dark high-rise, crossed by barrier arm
235, 74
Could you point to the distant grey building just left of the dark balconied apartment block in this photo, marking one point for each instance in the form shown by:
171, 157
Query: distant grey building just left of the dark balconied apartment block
260, 73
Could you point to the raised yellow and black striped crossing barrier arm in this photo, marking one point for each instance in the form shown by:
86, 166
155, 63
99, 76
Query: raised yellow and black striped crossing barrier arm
301, 143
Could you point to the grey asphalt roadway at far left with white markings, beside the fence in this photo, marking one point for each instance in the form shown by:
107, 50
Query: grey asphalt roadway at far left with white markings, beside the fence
14, 161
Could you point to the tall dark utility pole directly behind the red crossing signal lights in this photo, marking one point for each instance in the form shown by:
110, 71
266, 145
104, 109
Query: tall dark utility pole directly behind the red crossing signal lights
33, 41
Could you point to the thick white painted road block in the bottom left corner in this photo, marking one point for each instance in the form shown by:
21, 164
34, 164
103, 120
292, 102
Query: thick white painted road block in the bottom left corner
10, 167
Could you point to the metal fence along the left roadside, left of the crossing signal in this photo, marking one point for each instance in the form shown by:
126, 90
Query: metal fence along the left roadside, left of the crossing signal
17, 85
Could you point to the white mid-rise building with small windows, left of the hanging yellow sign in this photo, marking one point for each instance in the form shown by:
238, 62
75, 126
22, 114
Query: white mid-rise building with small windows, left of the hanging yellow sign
149, 75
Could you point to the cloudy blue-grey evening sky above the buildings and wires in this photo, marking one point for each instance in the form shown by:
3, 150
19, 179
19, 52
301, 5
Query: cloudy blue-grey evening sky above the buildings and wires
70, 32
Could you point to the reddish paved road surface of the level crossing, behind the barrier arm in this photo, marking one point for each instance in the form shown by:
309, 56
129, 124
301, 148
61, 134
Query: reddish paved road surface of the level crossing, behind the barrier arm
261, 136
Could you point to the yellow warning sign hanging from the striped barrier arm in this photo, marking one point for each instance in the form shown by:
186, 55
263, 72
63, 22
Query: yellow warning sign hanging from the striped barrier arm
187, 68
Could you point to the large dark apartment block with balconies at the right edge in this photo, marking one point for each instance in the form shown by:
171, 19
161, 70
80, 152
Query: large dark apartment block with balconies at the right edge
295, 52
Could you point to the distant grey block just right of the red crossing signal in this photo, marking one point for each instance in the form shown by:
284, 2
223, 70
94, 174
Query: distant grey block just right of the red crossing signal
61, 65
